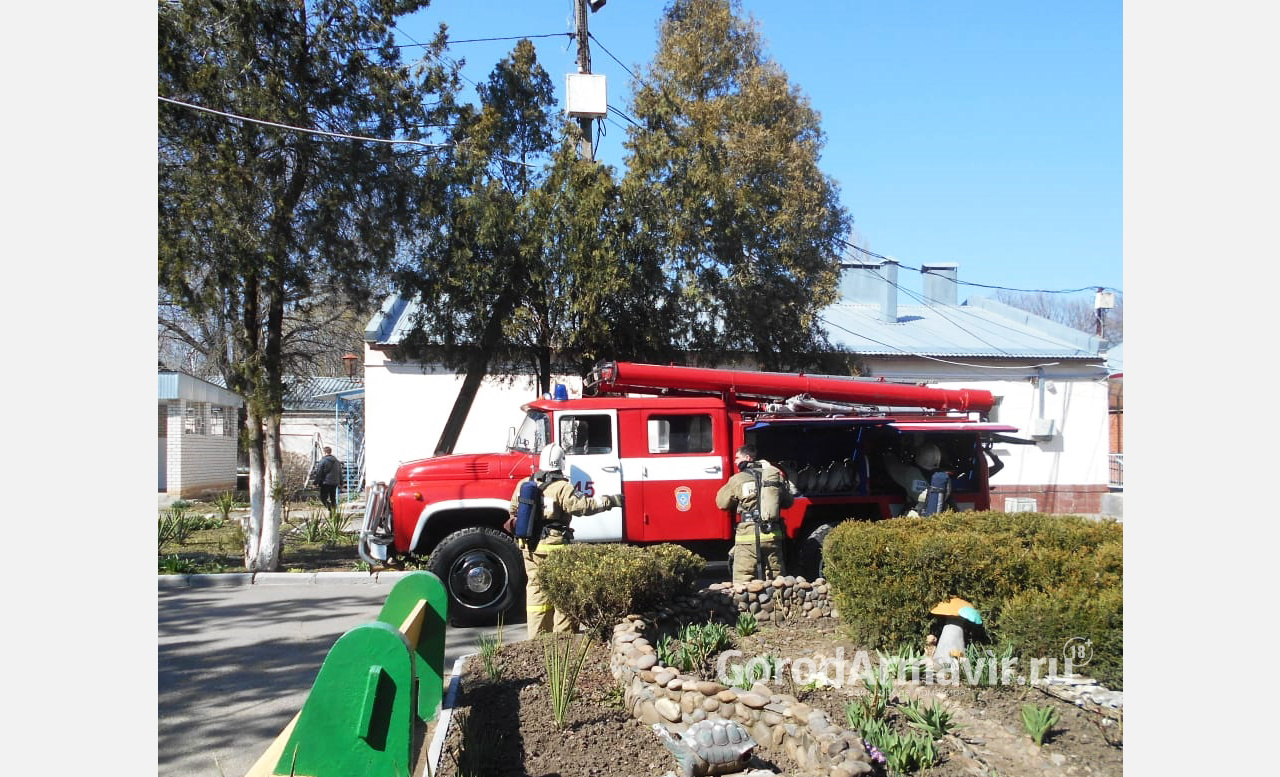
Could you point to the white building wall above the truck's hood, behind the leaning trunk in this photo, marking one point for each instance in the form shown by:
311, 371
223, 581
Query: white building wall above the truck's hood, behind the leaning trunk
406, 410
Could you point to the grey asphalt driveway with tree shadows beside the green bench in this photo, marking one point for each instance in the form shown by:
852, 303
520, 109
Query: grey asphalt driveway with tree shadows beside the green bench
236, 662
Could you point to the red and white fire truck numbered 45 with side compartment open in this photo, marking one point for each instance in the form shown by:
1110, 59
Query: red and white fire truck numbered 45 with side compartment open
665, 438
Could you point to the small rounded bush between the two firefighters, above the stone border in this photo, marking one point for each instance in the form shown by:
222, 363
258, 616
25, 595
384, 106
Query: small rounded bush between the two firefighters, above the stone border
597, 586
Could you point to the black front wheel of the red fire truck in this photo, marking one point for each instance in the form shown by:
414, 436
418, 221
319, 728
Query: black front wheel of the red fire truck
483, 573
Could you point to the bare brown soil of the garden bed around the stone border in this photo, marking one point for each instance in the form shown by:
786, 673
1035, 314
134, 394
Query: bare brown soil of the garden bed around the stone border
511, 728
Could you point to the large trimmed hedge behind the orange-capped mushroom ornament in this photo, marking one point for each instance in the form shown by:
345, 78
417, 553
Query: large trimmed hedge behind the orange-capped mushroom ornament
1039, 581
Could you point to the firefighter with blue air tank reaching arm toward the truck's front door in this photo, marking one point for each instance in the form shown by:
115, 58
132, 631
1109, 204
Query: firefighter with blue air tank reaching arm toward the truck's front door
561, 501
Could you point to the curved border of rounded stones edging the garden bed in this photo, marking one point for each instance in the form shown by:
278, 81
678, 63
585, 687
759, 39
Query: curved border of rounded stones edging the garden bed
657, 694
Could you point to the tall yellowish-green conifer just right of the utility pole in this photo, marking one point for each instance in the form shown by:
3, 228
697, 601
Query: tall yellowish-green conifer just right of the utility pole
725, 191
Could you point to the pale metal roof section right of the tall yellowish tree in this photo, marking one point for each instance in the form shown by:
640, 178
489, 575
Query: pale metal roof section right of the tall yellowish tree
980, 328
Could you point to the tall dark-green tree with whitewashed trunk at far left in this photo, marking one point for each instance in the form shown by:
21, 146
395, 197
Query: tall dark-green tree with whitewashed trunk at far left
264, 231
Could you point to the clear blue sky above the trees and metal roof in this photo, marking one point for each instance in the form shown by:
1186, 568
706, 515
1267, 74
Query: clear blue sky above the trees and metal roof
986, 134
